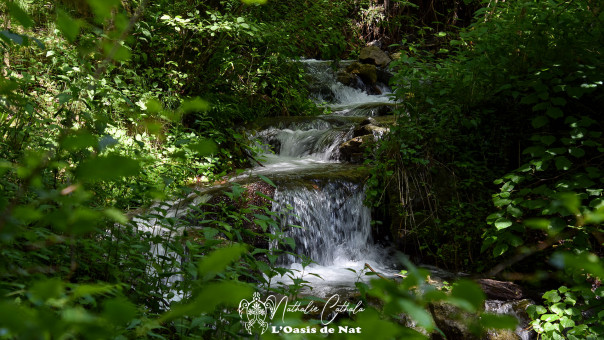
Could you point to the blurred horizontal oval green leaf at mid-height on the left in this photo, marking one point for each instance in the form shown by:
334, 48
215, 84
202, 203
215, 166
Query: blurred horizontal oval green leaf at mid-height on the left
107, 168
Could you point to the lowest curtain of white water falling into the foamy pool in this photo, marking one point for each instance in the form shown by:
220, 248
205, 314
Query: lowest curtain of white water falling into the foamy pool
335, 226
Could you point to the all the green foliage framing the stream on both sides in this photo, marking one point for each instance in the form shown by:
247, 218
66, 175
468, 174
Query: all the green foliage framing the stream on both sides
107, 106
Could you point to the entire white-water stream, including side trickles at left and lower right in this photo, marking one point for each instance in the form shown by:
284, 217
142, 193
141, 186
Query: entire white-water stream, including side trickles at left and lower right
324, 195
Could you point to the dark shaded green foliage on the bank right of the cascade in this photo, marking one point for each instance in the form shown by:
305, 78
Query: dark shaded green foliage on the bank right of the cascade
509, 79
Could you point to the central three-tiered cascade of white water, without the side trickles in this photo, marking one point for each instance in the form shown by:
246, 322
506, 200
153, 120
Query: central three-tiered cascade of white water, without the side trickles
332, 226
